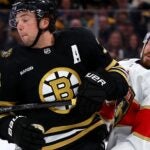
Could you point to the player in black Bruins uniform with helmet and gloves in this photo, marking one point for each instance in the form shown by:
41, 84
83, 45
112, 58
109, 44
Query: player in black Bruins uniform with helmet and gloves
55, 66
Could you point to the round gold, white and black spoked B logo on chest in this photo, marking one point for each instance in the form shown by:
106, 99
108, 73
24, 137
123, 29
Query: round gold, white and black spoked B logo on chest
59, 84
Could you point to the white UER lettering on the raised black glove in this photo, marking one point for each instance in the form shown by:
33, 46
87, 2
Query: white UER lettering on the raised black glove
96, 78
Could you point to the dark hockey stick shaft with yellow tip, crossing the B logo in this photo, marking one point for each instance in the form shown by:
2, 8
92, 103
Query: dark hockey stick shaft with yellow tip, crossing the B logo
35, 106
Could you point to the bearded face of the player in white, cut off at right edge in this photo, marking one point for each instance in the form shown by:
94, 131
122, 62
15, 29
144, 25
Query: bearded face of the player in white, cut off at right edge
146, 55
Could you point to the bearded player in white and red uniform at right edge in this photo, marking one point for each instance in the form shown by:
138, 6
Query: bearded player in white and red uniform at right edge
133, 131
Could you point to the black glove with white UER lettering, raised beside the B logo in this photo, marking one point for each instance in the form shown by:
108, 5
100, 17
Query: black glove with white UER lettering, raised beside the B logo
97, 86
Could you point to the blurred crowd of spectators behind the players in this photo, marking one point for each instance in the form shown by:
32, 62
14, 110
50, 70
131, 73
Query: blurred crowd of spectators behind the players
120, 25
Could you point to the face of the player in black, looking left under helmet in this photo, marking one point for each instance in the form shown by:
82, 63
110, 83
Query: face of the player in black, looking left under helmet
27, 26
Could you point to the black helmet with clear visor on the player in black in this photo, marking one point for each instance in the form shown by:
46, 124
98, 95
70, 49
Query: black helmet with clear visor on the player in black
40, 7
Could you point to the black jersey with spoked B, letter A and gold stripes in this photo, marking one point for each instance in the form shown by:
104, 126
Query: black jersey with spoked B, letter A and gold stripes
54, 73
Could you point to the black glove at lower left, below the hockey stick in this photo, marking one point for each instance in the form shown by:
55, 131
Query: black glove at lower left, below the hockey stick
26, 135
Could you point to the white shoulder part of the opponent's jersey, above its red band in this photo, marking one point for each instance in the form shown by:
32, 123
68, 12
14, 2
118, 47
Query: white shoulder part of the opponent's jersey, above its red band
139, 79
